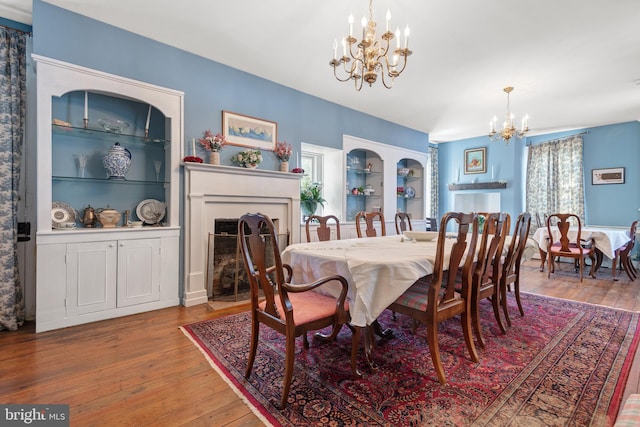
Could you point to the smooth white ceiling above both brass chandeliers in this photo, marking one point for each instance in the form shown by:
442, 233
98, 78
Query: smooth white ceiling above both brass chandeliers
573, 63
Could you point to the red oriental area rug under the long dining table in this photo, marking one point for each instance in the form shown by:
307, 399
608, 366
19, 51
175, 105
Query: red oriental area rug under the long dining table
563, 364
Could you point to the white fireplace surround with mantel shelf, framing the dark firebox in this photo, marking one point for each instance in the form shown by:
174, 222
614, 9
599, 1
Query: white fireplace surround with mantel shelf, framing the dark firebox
213, 192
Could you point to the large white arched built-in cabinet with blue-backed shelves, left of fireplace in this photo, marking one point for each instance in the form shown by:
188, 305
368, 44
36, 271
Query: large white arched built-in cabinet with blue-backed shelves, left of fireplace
90, 274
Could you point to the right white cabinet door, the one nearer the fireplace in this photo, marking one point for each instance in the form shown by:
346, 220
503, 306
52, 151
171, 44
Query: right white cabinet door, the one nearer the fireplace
138, 271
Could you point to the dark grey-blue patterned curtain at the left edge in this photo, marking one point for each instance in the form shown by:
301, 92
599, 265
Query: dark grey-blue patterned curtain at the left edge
13, 91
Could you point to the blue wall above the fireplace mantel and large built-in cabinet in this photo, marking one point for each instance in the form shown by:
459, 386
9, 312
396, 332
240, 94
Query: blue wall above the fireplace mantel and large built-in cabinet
209, 87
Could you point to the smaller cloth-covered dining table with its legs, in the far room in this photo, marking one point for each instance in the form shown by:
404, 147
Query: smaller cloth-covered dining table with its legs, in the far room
605, 239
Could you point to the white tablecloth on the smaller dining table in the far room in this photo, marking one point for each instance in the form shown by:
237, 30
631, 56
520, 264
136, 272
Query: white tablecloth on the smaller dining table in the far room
607, 240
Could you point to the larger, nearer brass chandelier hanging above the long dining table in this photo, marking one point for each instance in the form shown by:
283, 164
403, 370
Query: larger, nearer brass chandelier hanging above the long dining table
363, 61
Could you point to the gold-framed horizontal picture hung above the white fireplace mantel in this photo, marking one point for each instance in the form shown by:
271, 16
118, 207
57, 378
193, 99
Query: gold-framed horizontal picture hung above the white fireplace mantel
247, 131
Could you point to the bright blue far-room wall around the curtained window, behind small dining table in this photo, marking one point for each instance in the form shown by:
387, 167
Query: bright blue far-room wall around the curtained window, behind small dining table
616, 145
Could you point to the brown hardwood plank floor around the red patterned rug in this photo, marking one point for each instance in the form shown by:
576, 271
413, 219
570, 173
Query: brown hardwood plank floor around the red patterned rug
142, 370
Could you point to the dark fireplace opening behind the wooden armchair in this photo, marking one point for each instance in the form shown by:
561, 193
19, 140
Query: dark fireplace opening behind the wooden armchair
226, 275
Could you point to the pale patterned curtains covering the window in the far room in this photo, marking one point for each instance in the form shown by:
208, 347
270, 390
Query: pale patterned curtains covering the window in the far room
555, 181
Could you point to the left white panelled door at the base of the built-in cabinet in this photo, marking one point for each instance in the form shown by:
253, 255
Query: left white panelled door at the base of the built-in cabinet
91, 277
